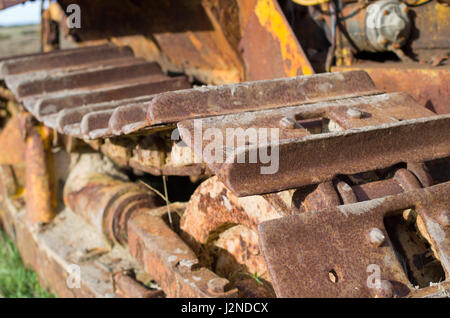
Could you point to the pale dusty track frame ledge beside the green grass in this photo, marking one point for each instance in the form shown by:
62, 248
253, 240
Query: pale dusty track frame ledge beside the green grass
52, 253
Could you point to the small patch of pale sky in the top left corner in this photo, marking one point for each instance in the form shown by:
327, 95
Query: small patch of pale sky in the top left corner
28, 13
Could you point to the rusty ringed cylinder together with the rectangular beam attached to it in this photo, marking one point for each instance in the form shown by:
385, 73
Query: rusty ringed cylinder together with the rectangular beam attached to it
125, 213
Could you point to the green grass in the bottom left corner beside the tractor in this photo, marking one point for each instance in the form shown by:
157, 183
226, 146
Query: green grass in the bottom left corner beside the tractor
16, 281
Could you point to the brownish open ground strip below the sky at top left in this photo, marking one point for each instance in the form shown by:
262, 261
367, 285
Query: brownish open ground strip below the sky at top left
19, 40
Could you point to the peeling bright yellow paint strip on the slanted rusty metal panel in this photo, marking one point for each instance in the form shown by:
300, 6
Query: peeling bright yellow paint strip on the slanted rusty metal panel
273, 21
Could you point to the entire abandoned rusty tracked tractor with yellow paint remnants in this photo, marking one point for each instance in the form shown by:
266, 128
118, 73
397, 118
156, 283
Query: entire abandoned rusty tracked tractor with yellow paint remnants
187, 149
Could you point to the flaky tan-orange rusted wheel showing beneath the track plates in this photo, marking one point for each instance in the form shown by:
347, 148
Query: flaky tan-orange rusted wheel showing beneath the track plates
225, 226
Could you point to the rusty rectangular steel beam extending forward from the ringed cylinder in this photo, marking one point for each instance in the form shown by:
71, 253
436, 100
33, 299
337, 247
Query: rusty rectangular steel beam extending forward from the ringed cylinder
166, 257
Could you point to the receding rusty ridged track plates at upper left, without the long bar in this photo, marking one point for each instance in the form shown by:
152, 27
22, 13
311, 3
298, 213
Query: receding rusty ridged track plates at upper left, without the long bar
77, 90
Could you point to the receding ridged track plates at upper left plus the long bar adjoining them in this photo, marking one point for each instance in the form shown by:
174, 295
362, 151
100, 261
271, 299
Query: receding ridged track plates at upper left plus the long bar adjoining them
125, 94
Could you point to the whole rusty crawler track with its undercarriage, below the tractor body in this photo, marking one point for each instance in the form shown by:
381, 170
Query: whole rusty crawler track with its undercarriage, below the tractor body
358, 167
